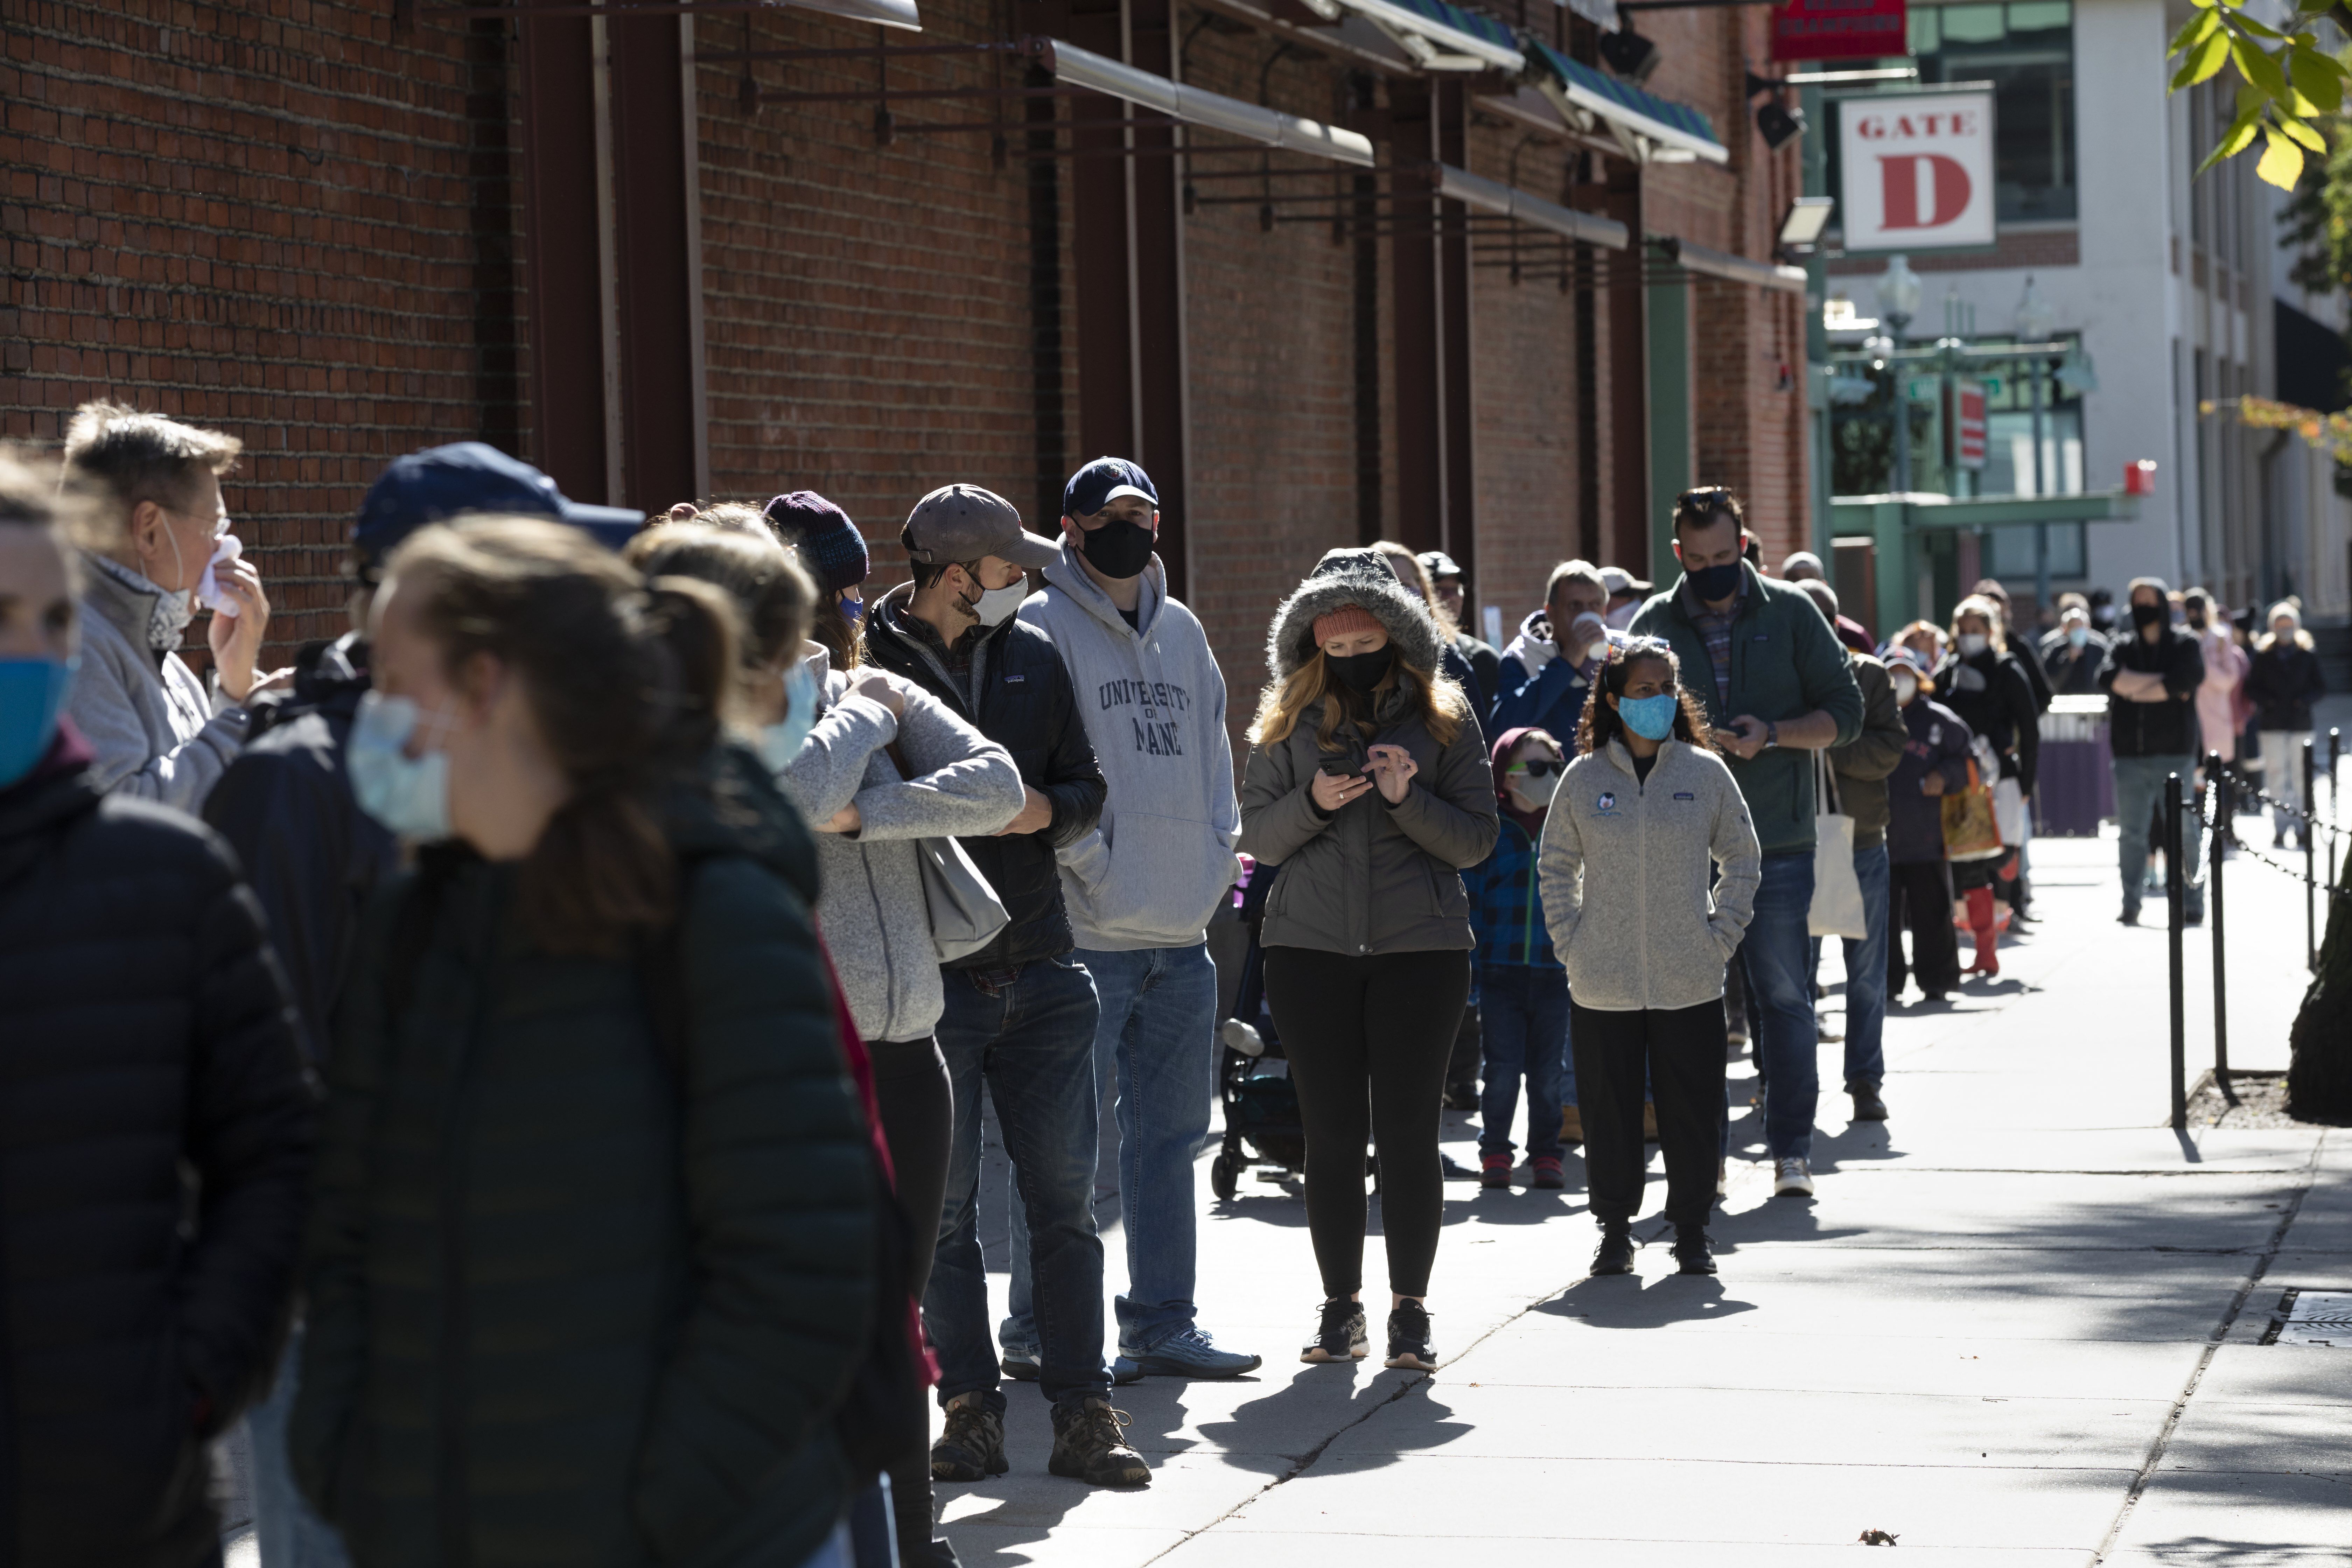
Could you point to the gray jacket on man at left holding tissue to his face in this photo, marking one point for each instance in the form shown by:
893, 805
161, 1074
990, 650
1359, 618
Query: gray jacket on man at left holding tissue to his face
154, 725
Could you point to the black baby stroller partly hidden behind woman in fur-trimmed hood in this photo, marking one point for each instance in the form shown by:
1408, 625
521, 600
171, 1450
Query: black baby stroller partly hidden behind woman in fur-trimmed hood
1252, 1076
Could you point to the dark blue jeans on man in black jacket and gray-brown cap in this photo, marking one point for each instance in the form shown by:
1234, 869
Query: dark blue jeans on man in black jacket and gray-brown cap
1029, 1036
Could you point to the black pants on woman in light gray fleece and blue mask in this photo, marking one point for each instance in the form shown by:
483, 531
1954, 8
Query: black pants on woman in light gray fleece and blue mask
1683, 1052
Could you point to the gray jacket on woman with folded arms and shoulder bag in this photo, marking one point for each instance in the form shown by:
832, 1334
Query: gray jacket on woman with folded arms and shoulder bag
869, 906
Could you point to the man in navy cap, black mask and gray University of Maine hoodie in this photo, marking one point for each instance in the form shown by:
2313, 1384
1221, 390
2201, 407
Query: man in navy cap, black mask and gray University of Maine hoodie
1140, 890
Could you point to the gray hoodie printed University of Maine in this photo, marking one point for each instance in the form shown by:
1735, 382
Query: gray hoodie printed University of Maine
1154, 704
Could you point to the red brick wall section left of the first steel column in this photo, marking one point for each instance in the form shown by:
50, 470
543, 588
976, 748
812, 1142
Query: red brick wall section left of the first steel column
279, 220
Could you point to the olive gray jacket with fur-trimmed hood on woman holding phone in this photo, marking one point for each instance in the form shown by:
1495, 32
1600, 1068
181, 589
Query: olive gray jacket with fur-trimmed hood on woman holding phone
1370, 878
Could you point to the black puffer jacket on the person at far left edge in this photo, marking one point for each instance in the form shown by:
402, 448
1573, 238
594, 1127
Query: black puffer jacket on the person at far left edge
142, 1026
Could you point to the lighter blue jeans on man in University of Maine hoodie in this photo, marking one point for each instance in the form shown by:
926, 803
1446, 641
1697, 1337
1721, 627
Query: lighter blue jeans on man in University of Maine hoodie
1158, 1043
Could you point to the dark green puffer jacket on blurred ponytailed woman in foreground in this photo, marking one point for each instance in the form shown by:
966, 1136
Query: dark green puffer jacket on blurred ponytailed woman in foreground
559, 1318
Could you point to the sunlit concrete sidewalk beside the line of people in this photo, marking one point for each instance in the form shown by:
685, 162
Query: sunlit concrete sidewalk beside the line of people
2017, 1327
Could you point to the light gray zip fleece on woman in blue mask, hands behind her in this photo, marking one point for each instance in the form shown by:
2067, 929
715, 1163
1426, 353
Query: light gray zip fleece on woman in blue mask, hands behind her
1624, 873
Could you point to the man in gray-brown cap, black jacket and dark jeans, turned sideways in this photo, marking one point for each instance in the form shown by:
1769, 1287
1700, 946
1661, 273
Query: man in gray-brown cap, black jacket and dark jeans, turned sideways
1020, 1014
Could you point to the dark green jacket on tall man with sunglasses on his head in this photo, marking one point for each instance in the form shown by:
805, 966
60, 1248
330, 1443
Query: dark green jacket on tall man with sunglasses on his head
1786, 662
